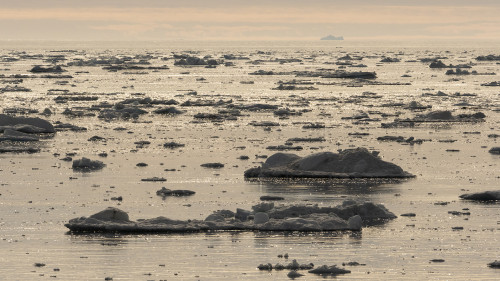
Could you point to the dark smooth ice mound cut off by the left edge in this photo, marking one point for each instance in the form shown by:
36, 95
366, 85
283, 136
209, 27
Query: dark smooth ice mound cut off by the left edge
26, 124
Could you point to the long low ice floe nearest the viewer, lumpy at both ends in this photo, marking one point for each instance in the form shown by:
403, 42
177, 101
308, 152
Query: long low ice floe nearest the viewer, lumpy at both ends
264, 217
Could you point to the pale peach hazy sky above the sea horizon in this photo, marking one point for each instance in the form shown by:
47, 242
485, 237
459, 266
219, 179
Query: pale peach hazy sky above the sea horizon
248, 20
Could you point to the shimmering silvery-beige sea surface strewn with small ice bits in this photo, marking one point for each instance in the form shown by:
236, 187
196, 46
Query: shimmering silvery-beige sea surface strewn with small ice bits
103, 107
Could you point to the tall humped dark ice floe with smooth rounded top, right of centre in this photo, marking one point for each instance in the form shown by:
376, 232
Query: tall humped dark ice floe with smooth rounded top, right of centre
349, 163
